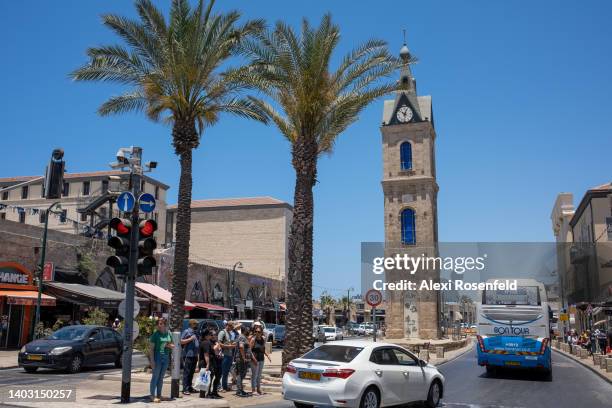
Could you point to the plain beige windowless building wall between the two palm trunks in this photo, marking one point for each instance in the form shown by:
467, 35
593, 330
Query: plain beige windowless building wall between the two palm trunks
253, 232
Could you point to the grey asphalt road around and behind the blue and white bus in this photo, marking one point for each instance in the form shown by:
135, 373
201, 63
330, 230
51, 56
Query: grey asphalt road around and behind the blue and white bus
468, 386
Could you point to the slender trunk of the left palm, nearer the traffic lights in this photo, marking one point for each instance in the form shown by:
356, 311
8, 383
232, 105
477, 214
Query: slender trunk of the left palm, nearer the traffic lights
183, 135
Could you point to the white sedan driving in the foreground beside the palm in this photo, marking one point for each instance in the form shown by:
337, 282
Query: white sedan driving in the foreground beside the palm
355, 373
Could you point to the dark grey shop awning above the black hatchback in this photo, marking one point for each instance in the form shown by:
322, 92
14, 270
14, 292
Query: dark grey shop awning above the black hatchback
86, 295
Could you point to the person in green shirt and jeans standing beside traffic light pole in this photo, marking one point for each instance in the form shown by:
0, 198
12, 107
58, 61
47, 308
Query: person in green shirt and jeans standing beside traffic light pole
161, 347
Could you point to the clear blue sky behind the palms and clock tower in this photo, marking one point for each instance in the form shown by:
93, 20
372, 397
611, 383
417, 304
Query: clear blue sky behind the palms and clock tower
521, 93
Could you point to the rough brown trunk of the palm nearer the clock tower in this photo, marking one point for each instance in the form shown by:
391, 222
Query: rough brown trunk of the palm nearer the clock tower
299, 287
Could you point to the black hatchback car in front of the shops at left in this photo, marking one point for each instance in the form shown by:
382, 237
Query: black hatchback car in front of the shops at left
73, 347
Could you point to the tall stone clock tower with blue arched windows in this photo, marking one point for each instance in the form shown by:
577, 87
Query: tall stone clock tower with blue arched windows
411, 214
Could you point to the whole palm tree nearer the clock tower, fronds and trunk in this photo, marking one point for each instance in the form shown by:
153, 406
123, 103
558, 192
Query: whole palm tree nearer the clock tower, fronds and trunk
317, 105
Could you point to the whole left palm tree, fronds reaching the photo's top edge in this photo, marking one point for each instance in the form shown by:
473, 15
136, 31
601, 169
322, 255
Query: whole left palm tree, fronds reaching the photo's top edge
173, 71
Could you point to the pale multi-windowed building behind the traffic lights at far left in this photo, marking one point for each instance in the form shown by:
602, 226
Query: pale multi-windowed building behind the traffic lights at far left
86, 202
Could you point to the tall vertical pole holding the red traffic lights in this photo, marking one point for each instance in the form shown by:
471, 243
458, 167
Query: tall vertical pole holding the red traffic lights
128, 340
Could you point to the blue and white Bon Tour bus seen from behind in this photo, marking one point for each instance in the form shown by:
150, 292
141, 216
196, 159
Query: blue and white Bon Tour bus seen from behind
513, 328
